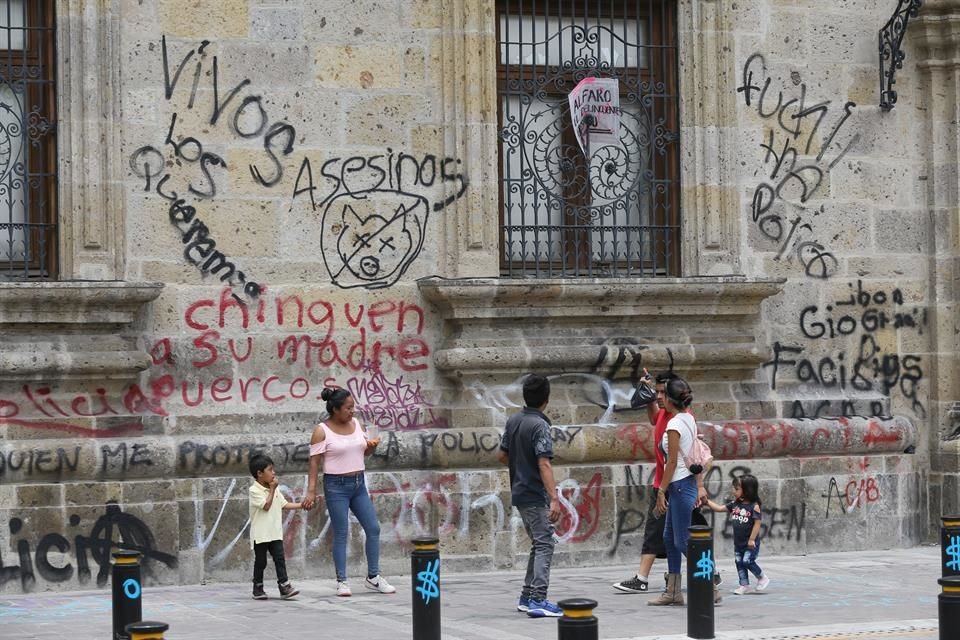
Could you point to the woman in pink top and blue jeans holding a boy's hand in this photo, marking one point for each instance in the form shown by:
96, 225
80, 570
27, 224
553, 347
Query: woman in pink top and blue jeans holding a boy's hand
339, 445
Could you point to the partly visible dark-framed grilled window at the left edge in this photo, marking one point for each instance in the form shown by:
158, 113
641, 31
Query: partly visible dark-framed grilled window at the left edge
28, 154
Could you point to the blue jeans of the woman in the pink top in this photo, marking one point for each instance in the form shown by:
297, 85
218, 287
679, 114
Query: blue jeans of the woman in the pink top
344, 494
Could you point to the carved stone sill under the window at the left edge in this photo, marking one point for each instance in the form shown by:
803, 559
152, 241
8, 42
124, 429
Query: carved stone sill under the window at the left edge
55, 331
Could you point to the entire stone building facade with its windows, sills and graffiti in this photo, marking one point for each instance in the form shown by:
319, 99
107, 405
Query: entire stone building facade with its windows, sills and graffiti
259, 198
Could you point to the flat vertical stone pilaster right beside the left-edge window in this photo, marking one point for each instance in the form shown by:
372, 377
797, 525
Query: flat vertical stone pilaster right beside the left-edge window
91, 221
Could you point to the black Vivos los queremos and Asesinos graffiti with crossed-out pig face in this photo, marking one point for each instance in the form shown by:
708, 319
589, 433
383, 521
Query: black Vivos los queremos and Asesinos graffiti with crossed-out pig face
375, 208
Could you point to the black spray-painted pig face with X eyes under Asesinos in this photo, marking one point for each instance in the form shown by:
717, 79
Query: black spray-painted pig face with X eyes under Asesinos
380, 234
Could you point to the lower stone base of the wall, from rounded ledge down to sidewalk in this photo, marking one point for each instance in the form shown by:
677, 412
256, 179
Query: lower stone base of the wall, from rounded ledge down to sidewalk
182, 499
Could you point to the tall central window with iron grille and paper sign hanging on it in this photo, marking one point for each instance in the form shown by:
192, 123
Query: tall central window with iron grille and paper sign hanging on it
615, 213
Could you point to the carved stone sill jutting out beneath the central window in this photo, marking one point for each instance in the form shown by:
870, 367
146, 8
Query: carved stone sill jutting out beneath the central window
498, 329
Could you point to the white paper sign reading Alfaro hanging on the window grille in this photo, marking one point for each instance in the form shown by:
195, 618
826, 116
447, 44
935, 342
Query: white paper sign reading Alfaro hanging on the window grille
595, 110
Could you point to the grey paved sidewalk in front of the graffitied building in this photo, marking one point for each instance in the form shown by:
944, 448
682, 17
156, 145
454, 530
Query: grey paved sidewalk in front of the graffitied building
886, 595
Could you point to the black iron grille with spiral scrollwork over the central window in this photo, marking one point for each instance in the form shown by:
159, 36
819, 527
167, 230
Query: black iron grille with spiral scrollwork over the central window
583, 214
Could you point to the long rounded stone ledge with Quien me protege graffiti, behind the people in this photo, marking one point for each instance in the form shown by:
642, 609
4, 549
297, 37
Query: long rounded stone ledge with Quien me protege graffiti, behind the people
212, 456
